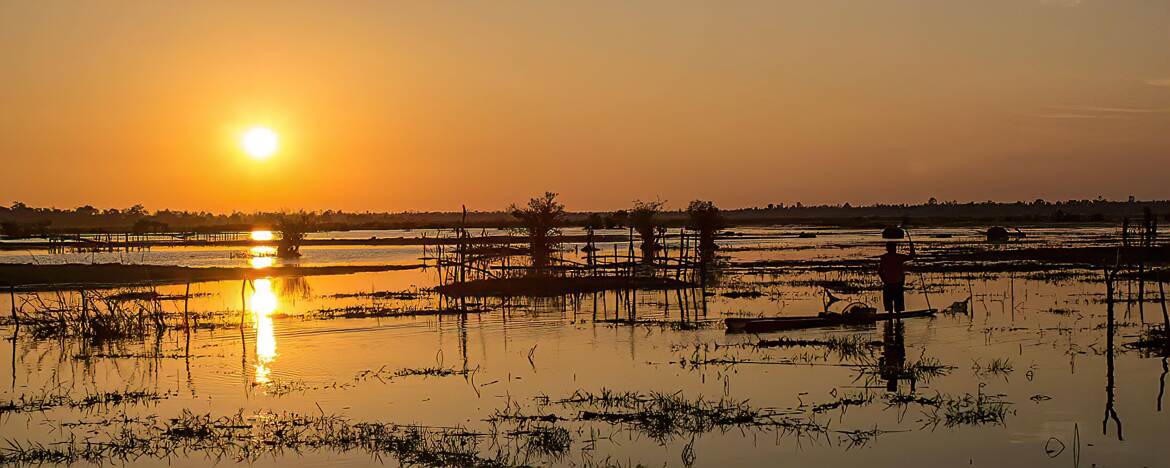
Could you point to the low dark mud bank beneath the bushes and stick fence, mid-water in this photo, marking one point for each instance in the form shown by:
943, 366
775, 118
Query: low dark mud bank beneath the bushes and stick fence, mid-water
556, 286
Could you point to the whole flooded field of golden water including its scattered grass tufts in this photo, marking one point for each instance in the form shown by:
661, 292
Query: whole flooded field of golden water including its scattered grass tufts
1021, 368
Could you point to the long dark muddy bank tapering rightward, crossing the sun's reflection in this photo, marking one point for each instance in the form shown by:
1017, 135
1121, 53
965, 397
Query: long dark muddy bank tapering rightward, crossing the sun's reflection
58, 277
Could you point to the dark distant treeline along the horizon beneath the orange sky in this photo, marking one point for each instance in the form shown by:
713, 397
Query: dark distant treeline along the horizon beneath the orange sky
20, 221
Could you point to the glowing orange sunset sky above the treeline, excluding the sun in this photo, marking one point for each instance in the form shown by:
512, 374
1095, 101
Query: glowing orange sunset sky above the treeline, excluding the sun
391, 106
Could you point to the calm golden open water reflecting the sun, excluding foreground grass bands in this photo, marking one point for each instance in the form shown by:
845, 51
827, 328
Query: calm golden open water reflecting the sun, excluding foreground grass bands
1037, 348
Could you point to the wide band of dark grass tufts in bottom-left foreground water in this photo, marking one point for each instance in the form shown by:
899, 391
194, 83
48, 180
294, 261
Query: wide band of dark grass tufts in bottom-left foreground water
249, 438
